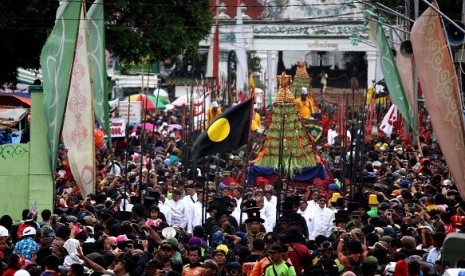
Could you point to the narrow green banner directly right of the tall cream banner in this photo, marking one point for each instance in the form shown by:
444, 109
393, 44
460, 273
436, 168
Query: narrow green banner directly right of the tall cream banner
98, 62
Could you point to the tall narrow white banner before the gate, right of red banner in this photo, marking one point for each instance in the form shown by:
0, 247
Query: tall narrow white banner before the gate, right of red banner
241, 52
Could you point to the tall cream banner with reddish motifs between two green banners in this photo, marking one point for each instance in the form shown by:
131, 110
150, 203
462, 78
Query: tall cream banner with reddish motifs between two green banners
78, 128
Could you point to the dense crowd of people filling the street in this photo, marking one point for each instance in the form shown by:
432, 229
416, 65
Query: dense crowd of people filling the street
155, 213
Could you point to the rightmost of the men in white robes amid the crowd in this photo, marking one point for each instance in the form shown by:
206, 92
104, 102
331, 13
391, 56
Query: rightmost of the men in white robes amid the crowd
322, 220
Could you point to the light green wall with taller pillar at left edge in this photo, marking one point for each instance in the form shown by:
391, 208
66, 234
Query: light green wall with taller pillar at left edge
25, 175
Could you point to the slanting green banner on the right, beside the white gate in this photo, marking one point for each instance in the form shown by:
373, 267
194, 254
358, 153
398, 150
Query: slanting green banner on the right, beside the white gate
392, 77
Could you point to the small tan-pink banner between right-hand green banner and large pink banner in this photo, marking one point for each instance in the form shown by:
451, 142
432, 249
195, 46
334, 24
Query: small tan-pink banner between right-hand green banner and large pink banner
405, 65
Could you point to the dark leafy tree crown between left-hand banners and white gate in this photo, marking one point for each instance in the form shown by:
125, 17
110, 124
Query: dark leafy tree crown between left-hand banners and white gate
155, 30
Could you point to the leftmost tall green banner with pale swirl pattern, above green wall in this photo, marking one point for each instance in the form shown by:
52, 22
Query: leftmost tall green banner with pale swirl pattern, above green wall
56, 61
